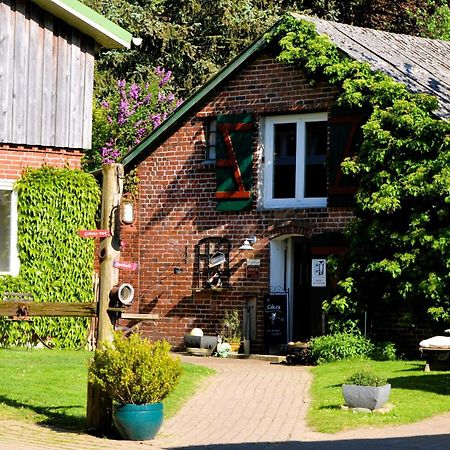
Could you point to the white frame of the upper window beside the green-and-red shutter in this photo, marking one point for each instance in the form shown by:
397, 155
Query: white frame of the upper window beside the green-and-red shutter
268, 140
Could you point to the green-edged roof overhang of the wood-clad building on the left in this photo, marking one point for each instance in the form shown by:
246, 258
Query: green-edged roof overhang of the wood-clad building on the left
85, 19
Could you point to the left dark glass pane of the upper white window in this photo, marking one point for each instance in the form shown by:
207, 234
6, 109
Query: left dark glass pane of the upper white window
284, 157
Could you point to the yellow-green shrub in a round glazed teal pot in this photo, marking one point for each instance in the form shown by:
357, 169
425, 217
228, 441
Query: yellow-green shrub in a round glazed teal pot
137, 374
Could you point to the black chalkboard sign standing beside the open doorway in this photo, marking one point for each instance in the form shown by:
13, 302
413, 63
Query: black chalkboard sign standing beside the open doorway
275, 319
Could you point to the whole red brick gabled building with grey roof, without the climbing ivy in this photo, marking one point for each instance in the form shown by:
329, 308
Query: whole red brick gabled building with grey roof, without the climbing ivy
255, 153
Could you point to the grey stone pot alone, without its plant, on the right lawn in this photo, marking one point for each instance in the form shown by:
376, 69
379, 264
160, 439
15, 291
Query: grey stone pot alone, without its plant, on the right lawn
369, 397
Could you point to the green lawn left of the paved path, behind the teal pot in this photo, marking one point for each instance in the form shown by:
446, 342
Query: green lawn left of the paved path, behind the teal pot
49, 386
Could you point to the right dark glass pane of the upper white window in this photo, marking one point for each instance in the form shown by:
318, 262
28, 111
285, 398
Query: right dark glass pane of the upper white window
315, 157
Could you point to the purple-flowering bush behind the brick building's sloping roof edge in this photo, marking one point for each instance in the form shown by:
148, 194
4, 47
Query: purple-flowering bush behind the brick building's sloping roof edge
121, 121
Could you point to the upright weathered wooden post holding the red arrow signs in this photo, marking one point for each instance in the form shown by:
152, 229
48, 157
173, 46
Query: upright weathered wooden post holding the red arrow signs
99, 405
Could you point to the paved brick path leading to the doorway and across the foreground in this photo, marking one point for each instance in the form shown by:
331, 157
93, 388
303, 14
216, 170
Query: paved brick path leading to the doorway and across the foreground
248, 405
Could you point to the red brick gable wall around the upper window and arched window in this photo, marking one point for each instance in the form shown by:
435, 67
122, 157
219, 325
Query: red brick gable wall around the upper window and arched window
177, 208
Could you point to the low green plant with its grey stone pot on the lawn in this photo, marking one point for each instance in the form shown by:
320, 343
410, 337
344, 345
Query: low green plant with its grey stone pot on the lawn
366, 390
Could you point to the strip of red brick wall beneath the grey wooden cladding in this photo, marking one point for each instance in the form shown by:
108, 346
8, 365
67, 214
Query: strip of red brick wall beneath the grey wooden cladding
14, 158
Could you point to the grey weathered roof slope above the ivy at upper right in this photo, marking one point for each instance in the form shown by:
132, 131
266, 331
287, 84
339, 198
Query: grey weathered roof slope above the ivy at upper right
423, 65
